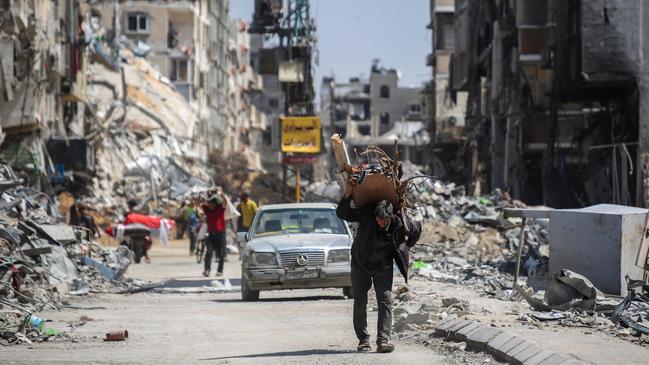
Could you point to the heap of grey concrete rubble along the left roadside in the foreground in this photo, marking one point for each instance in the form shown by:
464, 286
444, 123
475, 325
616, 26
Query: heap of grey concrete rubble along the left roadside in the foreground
43, 260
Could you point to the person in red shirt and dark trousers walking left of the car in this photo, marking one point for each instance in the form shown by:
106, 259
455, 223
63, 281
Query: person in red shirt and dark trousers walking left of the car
215, 218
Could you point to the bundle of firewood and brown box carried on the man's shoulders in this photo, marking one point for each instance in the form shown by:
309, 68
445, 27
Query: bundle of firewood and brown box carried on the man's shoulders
375, 177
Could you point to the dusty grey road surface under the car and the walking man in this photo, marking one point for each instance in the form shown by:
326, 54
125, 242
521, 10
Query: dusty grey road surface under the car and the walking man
286, 327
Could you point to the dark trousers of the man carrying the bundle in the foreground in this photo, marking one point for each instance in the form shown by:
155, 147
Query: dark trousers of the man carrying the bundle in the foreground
361, 284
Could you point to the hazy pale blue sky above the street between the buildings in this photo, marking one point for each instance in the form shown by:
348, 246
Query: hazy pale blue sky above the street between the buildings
353, 32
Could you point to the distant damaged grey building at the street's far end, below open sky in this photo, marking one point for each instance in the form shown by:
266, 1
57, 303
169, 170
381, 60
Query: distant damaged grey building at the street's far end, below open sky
376, 112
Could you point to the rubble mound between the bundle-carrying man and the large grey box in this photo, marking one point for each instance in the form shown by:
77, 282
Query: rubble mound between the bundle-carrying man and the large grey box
467, 239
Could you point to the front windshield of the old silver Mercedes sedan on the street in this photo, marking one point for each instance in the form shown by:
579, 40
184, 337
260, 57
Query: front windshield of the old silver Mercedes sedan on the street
288, 221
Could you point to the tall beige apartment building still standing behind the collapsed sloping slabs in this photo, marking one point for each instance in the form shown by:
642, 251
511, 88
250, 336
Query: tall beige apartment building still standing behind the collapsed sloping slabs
187, 41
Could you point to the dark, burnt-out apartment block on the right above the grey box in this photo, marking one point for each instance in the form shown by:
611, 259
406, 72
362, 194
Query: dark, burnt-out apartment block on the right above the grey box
556, 97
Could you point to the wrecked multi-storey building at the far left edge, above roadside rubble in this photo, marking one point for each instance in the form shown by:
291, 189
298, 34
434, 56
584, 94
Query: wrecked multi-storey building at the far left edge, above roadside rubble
43, 62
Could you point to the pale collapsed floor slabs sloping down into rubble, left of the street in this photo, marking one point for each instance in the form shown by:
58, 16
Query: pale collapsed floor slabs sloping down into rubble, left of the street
144, 135
